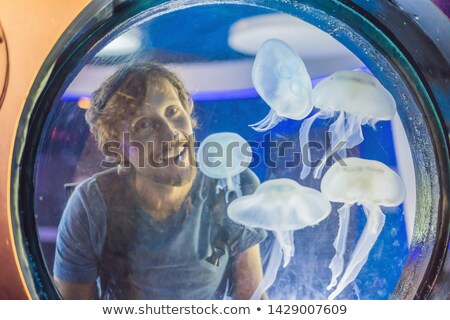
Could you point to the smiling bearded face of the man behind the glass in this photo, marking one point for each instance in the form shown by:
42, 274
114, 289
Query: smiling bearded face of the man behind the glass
160, 143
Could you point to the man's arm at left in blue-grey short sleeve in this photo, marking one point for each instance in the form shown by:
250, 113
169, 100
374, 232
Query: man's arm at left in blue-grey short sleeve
78, 246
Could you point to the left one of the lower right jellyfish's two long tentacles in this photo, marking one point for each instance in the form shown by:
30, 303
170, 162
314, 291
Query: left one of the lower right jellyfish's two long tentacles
337, 263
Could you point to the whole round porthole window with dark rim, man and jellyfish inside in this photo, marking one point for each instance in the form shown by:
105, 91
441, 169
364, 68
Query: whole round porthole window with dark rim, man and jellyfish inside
90, 212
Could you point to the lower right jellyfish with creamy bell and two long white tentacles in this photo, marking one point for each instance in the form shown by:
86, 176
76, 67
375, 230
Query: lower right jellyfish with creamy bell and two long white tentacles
368, 183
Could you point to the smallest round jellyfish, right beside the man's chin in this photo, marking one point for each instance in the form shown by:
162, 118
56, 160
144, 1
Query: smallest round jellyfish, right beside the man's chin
224, 156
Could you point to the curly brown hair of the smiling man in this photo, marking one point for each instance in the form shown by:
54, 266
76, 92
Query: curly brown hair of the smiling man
119, 97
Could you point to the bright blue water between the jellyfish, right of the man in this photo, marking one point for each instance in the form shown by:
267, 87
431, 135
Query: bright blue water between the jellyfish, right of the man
307, 275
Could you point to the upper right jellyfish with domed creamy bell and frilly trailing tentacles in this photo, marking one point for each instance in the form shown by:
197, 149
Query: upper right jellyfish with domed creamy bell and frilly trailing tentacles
357, 98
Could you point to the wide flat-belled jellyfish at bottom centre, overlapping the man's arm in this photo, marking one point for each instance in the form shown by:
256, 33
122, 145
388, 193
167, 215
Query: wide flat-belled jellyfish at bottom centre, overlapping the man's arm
280, 206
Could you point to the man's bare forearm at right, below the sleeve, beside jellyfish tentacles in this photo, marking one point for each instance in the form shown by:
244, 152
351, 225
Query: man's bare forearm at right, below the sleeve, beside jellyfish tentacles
247, 274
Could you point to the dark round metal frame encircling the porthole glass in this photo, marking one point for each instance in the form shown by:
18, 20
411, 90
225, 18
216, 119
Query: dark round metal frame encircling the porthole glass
422, 62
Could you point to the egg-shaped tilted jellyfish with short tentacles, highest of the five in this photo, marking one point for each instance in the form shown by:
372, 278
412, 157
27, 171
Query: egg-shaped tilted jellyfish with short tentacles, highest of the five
281, 79
